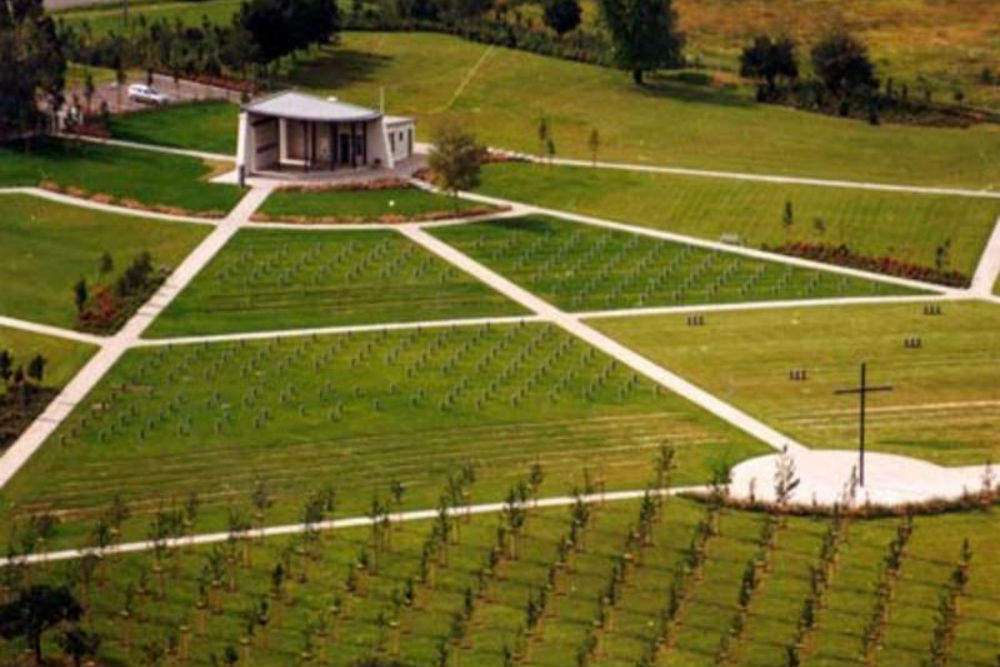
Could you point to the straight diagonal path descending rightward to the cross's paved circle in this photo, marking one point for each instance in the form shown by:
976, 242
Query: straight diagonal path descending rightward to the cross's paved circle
616, 350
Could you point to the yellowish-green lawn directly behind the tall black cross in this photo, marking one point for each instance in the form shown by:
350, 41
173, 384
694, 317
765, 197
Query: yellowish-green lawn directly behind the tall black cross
943, 407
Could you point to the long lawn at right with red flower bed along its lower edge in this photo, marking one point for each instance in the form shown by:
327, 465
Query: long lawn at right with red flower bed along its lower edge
908, 227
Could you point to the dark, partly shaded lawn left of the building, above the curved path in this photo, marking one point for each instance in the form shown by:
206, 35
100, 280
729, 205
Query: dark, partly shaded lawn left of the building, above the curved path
156, 180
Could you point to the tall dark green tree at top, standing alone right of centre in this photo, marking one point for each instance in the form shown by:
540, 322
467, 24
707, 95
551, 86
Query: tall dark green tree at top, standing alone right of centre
644, 34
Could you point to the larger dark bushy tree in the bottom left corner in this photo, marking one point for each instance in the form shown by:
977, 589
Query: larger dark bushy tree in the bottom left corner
34, 611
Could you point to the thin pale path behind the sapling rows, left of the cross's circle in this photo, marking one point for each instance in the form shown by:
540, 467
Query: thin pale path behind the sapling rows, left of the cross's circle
352, 522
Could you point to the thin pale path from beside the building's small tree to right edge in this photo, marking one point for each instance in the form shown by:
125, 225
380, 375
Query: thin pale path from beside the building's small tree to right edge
754, 177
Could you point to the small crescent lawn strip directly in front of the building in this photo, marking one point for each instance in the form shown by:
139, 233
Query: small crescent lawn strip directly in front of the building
339, 205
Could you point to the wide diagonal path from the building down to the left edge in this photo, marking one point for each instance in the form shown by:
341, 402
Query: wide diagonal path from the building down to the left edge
113, 348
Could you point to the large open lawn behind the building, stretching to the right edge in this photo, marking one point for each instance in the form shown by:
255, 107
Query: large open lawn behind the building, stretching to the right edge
665, 122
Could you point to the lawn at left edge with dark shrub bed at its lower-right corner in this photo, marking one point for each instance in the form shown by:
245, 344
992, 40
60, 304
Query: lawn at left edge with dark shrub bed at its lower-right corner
45, 248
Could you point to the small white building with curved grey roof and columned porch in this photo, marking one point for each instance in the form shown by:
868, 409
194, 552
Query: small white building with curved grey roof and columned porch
292, 131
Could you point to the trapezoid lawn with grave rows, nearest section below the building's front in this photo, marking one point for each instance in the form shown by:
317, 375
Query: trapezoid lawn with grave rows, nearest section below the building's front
269, 279
